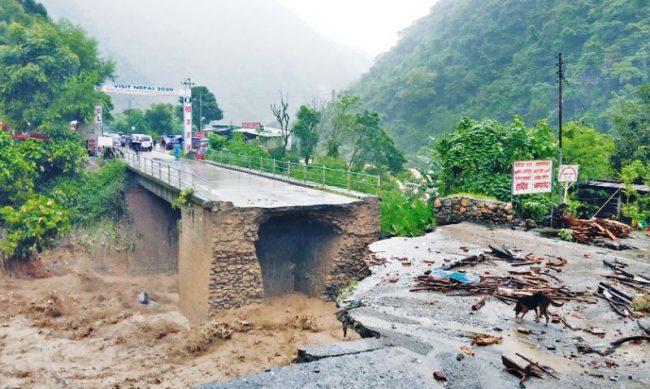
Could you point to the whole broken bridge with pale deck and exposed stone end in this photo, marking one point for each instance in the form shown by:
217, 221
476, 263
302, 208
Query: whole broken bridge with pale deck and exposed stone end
244, 236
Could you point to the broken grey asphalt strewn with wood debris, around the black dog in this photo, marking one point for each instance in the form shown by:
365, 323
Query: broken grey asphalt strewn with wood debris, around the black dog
422, 332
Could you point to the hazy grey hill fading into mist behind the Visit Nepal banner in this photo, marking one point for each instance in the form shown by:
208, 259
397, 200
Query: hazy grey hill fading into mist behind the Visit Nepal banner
245, 51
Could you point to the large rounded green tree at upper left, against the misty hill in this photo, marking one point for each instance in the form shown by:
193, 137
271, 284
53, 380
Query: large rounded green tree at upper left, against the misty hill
49, 74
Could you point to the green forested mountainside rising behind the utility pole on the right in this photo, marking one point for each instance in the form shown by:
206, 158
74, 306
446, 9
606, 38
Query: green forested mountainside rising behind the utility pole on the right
497, 58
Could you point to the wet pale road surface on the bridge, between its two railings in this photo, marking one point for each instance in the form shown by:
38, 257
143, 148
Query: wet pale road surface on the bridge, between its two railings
247, 190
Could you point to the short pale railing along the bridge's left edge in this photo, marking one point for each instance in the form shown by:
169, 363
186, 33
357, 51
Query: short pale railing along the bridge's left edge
168, 174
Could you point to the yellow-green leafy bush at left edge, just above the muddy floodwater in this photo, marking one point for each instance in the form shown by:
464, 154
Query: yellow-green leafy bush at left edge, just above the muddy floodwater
33, 227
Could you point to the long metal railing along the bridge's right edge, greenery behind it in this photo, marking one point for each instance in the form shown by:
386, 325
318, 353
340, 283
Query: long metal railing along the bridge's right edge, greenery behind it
318, 175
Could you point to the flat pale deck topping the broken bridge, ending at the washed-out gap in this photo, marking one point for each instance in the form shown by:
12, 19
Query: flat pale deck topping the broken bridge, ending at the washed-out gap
244, 190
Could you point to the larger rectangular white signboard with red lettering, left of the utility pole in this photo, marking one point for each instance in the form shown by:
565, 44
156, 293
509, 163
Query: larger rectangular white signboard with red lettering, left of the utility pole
530, 177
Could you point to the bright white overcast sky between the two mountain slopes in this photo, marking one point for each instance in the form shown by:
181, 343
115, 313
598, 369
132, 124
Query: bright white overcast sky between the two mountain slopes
371, 25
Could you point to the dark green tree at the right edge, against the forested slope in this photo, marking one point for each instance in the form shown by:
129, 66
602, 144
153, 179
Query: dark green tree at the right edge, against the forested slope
632, 124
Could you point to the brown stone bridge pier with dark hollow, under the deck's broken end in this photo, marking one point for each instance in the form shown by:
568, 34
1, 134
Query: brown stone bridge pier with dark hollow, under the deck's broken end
232, 256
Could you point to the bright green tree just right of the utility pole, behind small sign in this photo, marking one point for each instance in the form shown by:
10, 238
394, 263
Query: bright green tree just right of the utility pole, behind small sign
590, 149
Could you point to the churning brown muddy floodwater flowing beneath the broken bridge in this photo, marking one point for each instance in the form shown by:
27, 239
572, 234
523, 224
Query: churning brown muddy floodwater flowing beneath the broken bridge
67, 321
